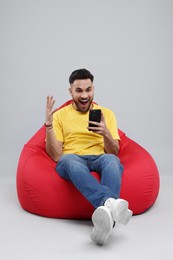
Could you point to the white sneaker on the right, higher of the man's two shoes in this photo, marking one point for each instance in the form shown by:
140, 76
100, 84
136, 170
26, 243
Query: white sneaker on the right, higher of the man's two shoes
119, 209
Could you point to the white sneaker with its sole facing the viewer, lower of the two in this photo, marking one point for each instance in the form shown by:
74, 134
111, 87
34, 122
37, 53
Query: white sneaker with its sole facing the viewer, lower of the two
103, 225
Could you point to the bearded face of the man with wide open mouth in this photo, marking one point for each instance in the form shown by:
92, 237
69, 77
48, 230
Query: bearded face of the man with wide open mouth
82, 92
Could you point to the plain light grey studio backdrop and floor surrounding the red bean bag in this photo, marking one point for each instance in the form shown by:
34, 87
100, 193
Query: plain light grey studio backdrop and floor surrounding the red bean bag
127, 45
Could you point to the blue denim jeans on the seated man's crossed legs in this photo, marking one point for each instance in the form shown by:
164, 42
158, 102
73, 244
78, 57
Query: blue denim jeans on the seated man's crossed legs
76, 169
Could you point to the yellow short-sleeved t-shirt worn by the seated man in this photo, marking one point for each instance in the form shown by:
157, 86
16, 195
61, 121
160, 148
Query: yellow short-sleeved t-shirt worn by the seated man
70, 127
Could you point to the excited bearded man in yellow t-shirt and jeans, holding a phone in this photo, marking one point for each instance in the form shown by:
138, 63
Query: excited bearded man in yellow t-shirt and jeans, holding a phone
79, 149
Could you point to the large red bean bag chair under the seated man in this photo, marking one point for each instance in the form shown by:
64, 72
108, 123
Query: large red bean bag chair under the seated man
43, 192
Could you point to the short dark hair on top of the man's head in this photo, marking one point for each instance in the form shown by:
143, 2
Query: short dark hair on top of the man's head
80, 74
